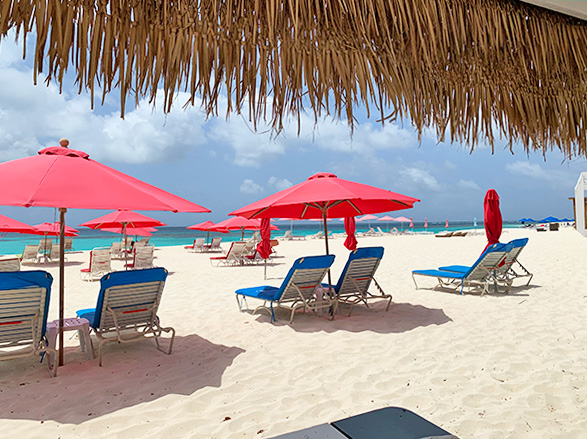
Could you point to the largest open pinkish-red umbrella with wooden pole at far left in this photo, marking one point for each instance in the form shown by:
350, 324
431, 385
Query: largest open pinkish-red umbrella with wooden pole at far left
65, 178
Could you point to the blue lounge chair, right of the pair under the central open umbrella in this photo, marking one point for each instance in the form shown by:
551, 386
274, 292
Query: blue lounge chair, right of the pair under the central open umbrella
356, 278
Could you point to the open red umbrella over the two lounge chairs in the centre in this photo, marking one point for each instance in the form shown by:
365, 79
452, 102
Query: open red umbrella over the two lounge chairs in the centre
324, 196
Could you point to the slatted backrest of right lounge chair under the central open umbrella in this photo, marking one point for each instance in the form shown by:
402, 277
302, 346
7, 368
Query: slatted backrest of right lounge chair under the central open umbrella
359, 270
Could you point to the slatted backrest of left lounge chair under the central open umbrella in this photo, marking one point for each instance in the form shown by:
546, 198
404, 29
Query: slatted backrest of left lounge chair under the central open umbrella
304, 277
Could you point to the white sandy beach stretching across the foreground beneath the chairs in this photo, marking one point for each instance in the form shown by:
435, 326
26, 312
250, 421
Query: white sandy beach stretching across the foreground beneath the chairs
481, 367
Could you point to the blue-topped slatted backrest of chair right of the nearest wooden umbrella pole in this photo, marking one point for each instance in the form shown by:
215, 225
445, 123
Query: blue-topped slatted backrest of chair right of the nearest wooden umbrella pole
128, 299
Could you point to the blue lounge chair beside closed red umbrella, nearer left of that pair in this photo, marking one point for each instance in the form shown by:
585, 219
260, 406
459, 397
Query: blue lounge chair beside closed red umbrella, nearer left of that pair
479, 275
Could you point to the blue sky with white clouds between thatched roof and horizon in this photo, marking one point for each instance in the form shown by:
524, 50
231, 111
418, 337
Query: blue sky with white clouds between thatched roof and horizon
223, 165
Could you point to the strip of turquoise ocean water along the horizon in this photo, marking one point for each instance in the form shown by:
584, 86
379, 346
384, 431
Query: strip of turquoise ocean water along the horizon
13, 243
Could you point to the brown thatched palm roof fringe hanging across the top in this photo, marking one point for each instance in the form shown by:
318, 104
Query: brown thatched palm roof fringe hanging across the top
470, 68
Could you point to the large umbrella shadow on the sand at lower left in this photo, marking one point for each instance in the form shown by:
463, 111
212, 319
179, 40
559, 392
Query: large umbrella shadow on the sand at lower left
133, 373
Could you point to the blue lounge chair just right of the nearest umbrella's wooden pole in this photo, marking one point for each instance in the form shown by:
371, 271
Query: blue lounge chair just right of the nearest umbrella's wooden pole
127, 308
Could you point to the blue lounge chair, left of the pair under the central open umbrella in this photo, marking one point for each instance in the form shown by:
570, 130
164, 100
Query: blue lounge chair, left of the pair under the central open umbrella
297, 289
